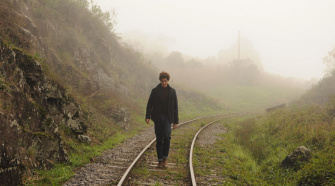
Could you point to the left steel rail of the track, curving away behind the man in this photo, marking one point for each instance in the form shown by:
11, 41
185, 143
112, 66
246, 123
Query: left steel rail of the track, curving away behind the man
126, 174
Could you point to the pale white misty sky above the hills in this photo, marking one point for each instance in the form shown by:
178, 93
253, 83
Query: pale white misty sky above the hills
291, 36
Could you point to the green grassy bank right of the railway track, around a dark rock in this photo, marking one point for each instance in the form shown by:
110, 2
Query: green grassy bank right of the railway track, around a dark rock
251, 153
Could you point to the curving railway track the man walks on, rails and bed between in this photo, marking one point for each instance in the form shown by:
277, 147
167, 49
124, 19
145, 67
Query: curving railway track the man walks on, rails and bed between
149, 162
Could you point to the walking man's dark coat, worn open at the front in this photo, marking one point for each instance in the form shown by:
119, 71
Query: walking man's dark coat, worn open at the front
154, 106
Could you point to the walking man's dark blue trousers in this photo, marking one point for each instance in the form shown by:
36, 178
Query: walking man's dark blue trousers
163, 136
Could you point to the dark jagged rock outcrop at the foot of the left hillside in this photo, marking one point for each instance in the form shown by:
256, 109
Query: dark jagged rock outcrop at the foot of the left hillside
32, 108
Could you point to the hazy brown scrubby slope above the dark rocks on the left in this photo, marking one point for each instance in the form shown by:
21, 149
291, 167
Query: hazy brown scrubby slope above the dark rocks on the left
82, 52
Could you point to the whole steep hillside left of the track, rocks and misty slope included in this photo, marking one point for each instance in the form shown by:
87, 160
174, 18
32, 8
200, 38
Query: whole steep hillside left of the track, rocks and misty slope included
72, 78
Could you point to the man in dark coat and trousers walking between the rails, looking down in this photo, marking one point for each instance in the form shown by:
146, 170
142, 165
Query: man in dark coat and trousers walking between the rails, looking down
162, 108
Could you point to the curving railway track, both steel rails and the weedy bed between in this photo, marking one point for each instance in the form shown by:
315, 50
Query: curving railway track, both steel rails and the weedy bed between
146, 160
